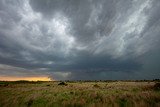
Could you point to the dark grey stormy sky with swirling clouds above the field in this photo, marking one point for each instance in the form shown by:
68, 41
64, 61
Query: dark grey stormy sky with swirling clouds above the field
80, 39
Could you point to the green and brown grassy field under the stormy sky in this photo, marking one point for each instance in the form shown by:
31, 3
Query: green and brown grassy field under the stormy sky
79, 94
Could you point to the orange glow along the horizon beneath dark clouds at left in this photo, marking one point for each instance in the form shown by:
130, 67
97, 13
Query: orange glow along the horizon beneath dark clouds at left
35, 78
